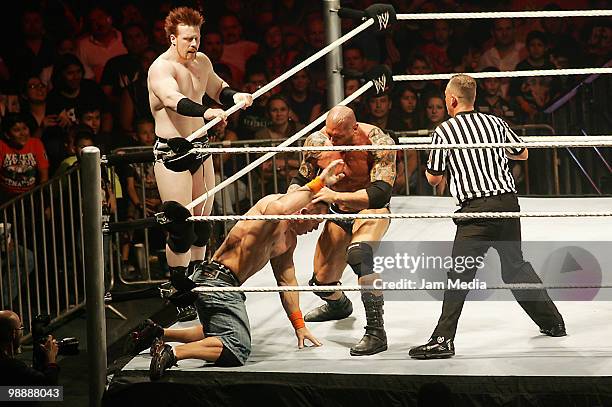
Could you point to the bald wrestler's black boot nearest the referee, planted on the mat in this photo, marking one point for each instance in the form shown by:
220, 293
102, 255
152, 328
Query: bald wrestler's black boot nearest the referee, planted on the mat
375, 338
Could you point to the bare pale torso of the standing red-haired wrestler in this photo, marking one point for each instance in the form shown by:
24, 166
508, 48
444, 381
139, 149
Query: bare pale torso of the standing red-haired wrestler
193, 81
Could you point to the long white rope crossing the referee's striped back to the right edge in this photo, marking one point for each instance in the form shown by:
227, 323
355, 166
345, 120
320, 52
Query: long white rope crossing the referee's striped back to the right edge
536, 144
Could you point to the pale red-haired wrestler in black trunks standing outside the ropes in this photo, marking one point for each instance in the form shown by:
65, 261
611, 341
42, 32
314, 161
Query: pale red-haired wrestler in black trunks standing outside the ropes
177, 81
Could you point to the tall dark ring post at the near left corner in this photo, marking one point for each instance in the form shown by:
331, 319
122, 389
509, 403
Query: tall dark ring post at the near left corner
94, 273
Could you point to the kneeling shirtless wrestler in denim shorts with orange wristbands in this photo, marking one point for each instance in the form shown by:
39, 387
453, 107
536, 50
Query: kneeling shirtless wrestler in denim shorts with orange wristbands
224, 336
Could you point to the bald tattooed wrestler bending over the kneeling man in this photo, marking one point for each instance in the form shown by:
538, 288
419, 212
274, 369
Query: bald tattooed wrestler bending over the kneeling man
366, 188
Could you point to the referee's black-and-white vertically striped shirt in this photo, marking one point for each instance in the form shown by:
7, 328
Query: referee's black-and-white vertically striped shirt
474, 173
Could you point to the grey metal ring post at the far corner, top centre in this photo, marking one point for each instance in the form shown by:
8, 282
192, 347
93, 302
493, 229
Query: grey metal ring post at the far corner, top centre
333, 60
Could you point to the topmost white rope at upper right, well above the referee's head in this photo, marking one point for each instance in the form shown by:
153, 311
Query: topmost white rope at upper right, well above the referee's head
506, 14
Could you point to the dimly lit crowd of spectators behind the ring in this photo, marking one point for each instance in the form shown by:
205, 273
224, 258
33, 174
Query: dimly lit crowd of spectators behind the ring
76, 71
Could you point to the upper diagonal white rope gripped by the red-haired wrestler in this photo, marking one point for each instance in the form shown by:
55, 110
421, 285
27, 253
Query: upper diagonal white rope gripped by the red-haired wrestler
286, 75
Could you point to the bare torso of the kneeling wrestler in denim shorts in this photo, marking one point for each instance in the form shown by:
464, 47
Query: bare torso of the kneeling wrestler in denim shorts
251, 244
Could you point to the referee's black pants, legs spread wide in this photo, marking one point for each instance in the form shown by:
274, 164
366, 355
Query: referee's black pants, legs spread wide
473, 238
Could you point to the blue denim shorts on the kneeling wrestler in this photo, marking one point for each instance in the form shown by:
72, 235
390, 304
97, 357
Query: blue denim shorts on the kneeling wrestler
223, 315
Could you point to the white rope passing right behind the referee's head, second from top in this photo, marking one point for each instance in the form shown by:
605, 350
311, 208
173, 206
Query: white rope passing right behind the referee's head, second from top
505, 74
